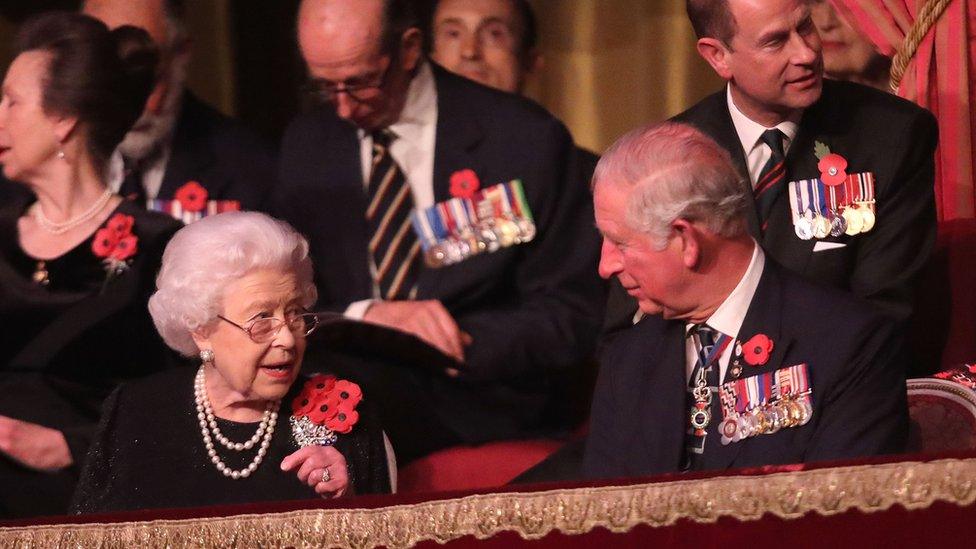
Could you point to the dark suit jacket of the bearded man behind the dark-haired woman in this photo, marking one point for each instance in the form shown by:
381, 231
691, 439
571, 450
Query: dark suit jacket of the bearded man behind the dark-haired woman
230, 161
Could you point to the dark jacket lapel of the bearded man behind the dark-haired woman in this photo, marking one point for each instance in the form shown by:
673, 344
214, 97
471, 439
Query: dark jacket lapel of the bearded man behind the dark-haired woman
191, 157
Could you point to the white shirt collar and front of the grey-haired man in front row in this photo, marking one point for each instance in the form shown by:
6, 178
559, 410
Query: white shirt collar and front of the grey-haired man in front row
728, 317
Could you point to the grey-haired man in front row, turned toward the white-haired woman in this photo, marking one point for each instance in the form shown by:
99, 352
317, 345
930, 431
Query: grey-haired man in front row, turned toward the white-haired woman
729, 367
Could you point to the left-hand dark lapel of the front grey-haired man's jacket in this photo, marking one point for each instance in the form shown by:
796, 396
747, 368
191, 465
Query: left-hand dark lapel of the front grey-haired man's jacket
663, 414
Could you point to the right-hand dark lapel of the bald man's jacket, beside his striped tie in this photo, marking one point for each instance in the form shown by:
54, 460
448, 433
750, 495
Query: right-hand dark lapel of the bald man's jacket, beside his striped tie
458, 135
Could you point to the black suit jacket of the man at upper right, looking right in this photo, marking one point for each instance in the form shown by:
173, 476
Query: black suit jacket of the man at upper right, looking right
875, 132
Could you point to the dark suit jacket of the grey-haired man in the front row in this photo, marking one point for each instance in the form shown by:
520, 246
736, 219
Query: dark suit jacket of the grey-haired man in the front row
640, 414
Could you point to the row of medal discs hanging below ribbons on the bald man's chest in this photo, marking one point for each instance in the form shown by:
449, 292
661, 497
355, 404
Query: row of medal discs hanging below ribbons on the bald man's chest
488, 235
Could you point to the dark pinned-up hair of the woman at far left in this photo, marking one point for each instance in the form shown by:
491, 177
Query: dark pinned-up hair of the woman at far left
102, 77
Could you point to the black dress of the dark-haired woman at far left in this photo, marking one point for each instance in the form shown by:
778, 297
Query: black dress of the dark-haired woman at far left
65, 345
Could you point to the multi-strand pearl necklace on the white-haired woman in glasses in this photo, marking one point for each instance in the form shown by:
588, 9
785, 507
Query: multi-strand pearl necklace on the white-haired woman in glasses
208, 424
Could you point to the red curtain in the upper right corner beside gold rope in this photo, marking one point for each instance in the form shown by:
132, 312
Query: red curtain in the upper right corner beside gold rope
939, 78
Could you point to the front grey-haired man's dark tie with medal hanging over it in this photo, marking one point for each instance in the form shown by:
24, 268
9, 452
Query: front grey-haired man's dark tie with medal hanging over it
704, 380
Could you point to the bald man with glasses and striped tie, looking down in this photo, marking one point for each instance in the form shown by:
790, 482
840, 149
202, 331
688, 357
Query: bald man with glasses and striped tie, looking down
519, 305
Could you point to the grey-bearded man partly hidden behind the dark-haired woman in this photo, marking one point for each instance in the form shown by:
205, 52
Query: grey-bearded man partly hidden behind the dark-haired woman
179, 140
